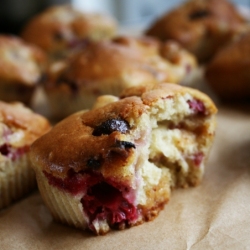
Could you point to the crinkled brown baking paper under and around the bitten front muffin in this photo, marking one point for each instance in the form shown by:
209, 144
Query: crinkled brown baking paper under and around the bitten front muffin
214, 215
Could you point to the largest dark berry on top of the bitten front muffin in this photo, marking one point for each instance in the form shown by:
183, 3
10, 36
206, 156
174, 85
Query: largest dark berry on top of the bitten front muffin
110, 126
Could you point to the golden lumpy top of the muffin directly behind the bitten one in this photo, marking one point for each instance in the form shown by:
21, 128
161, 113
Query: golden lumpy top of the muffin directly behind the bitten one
123, 61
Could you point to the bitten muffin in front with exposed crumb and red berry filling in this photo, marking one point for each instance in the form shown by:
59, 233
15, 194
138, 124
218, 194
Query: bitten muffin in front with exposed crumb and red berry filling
116, 164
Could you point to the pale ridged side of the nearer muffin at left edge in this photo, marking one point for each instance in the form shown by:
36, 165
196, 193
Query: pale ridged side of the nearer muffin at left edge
17, 179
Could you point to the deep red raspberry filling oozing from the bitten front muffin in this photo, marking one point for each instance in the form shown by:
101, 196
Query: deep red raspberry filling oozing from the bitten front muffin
102, 199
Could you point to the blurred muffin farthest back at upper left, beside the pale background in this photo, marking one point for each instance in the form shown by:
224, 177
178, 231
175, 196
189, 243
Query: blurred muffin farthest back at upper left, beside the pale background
61, 30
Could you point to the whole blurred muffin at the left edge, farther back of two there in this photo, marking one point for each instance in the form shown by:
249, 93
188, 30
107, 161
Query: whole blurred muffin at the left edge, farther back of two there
21, 69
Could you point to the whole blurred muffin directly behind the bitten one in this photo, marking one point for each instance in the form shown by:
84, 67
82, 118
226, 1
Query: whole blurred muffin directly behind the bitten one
108, 67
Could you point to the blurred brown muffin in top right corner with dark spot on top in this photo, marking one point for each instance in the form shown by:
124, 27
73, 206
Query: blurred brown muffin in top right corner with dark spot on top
201, 26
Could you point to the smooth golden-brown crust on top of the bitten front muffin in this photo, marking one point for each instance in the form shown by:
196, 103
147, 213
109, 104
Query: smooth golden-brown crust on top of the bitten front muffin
47, 150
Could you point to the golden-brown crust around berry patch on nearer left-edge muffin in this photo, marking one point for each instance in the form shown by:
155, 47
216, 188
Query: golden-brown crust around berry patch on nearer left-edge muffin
17, 117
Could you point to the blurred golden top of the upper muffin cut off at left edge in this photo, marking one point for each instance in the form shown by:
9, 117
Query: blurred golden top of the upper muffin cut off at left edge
20, 63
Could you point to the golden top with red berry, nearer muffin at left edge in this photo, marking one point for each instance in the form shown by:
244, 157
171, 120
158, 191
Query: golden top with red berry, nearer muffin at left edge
20, 126
